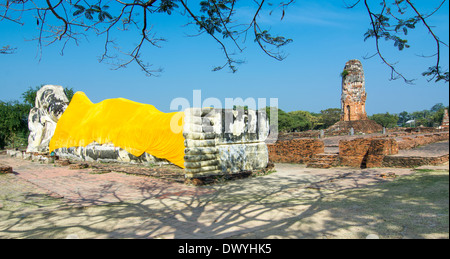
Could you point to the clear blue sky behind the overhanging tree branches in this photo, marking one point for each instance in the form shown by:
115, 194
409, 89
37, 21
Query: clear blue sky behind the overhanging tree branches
325, 34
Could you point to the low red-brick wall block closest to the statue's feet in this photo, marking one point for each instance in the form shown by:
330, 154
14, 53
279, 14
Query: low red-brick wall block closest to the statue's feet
295, 150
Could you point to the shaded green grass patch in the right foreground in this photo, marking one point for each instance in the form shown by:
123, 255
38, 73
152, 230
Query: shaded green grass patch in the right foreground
413, 206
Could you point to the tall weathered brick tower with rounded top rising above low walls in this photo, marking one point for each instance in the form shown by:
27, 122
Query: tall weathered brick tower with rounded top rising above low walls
353, 99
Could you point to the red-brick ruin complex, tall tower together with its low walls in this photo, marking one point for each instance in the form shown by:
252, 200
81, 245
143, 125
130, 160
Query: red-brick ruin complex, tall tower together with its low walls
364, 152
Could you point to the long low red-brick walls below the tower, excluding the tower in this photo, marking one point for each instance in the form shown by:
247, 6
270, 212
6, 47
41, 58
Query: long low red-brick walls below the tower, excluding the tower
359, 152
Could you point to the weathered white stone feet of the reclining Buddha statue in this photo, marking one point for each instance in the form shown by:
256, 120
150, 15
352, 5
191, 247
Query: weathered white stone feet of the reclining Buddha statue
220, 141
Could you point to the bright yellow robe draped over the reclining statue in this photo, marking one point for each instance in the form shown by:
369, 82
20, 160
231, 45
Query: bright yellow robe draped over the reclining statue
132, 126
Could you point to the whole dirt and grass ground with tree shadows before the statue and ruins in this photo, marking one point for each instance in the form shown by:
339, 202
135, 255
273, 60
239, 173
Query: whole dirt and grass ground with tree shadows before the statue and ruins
50, 201
